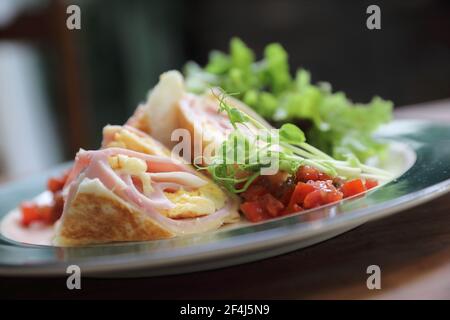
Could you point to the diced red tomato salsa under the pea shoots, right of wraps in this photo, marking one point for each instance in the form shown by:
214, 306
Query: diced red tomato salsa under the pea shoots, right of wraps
282, 194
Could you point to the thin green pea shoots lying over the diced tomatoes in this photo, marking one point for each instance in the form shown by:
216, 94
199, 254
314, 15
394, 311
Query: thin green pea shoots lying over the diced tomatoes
287, 146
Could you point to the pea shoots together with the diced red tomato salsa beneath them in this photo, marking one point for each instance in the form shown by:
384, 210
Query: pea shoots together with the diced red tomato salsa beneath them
306, 176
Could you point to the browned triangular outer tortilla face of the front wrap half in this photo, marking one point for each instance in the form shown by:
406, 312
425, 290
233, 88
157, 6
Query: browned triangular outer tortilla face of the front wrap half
97, 215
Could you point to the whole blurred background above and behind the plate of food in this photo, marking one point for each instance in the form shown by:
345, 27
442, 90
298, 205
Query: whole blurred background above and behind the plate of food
59, 87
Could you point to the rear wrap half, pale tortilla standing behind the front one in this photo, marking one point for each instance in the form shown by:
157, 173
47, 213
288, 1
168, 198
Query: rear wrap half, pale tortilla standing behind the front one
198, 114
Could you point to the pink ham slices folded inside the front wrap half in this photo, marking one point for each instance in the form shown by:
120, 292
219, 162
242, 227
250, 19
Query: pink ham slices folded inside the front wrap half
94, 165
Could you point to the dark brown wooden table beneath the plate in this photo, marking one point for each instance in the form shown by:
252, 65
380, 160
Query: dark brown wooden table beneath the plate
412, 249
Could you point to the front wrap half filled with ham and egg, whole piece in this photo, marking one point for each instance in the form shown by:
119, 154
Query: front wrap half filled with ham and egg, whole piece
132, 190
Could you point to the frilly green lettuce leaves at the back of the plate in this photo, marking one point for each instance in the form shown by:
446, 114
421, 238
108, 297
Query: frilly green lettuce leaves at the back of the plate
339, 126
